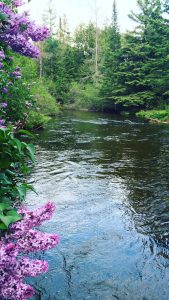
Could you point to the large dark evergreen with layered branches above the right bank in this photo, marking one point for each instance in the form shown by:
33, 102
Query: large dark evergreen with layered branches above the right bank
144, 65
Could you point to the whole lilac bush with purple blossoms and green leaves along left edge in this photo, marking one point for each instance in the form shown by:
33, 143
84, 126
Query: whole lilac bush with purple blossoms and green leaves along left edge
18, 238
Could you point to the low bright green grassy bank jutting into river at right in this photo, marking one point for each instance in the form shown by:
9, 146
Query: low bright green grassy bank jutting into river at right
155, 116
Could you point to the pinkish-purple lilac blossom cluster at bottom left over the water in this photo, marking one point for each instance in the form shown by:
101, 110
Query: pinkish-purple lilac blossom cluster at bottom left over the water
22, 239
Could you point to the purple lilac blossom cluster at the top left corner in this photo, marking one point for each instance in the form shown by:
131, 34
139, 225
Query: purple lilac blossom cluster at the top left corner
19, 33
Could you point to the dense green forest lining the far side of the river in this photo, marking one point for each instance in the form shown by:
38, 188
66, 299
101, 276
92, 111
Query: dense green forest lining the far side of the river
102, 69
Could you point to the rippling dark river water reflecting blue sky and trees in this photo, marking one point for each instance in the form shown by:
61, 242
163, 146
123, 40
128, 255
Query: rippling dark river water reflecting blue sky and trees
110, 181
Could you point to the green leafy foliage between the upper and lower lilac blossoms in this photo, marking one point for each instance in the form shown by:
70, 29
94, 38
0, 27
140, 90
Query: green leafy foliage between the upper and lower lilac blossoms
14, 155
